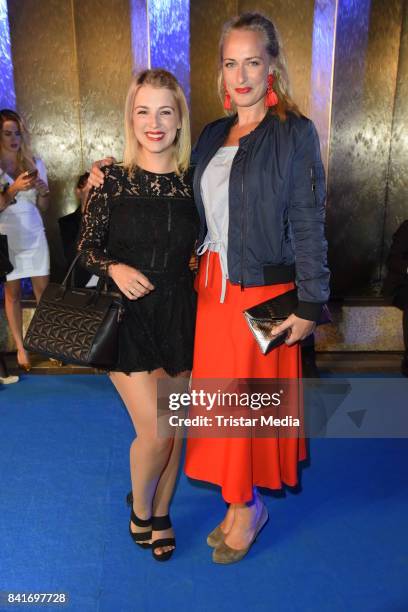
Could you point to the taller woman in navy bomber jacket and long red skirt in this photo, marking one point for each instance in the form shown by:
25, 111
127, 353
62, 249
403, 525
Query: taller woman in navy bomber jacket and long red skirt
260, 191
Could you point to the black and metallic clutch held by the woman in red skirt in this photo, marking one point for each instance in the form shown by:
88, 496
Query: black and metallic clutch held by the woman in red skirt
264, 317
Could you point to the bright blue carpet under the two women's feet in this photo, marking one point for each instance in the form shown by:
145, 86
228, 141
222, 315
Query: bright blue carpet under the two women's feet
341, 544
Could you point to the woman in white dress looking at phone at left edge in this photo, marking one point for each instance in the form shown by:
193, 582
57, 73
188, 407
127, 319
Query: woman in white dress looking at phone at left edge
23, 196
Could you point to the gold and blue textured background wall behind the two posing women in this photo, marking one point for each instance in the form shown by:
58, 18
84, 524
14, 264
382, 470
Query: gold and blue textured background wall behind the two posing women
348, 61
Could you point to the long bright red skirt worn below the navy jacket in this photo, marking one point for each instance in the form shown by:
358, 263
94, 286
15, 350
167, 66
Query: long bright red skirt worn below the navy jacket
225, 348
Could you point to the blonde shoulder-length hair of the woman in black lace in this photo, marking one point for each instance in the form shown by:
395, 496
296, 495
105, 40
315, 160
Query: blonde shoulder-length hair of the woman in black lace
182, 145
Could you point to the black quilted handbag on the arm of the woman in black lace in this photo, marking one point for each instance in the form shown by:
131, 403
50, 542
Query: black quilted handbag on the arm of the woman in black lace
77, 325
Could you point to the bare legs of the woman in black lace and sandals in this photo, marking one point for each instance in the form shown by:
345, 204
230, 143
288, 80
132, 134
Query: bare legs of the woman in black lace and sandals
152, 459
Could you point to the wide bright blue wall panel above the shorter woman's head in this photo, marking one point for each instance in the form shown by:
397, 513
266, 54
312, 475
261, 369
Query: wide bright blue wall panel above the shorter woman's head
169, 37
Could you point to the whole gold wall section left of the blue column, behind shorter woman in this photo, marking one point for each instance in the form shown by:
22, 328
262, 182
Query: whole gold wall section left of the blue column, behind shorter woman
72, 67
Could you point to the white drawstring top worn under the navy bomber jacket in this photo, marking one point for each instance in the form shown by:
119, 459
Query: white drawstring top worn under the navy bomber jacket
214, 191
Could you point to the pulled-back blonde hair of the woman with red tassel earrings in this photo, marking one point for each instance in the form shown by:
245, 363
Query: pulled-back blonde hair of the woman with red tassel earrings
256, 22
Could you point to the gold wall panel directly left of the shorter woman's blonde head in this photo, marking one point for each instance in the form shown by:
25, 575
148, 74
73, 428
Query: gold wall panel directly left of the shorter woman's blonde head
104, 68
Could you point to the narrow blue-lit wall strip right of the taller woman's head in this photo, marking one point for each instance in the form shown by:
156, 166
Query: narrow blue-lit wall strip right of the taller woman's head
324, 34
